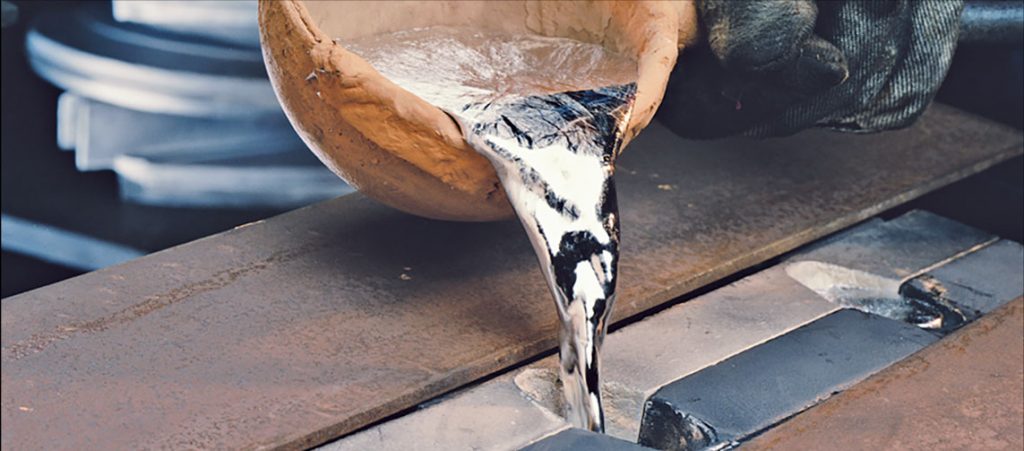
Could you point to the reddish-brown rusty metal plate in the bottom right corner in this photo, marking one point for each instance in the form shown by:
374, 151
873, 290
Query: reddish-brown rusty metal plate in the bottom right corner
963, 393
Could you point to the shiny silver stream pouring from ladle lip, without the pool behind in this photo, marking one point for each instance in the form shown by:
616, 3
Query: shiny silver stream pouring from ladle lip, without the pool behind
556, 156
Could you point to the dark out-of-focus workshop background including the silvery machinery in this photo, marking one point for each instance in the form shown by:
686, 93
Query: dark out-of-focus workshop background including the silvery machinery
133, 127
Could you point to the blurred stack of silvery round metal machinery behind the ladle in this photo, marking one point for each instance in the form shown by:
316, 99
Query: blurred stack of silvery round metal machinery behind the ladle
174, 97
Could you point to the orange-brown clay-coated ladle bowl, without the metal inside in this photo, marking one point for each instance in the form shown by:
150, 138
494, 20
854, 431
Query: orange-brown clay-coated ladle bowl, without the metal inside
402, 151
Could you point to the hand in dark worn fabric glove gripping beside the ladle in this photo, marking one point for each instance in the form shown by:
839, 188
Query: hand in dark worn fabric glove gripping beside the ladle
775, 68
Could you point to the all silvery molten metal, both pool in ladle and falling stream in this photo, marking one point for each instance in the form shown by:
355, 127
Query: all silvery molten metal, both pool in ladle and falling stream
549, 114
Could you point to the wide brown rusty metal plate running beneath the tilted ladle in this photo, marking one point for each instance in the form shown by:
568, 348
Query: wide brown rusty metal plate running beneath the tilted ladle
294, 331
